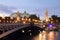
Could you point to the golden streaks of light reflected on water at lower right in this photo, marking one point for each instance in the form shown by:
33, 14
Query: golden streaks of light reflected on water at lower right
52, 35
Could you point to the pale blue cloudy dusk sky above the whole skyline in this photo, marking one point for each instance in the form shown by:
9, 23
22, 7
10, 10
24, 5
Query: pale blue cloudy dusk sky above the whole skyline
31, 6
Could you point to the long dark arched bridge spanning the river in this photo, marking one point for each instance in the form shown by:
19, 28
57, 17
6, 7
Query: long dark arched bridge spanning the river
6, 29
